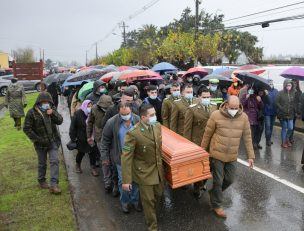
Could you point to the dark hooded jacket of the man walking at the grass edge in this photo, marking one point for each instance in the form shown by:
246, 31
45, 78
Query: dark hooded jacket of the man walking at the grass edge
40, 127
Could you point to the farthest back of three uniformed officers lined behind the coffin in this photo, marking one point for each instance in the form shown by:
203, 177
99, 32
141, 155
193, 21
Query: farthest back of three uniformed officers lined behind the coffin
167, 104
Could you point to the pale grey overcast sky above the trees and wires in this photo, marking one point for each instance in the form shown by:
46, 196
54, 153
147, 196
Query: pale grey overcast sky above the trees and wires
67, 28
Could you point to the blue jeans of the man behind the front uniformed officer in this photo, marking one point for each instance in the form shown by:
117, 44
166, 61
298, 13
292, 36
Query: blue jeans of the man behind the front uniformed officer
127, 197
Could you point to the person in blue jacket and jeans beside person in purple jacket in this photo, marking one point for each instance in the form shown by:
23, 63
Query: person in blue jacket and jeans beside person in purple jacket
270, 113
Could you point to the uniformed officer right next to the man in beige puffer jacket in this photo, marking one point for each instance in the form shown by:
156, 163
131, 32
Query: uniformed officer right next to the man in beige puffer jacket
196, 118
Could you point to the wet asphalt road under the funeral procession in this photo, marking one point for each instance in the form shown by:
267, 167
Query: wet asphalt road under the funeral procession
253, 202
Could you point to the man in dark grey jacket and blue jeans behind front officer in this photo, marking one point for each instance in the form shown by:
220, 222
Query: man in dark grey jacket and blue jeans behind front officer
113, 136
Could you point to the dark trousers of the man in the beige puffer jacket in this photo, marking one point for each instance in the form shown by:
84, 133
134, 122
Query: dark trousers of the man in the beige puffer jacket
223, 176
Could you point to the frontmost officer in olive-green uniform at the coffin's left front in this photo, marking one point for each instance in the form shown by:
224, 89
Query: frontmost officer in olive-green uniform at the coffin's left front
142, 162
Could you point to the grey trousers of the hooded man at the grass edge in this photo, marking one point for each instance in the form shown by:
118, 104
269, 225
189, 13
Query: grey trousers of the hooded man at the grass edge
52, 150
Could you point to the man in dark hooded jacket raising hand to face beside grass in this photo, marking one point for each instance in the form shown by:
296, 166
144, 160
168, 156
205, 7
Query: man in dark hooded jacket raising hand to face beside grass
40, 126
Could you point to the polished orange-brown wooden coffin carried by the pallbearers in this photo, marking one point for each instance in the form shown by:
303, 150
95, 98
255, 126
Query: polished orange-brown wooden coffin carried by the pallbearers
184, 161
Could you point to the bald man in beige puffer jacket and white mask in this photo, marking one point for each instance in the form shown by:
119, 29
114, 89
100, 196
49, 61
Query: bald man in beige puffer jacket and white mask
222, 138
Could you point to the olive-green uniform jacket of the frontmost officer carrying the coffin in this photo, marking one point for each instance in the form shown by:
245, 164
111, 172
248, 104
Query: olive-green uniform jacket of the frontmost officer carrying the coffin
141, 157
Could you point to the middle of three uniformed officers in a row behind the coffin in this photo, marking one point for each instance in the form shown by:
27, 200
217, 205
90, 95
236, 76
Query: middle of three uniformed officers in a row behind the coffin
179, 109
